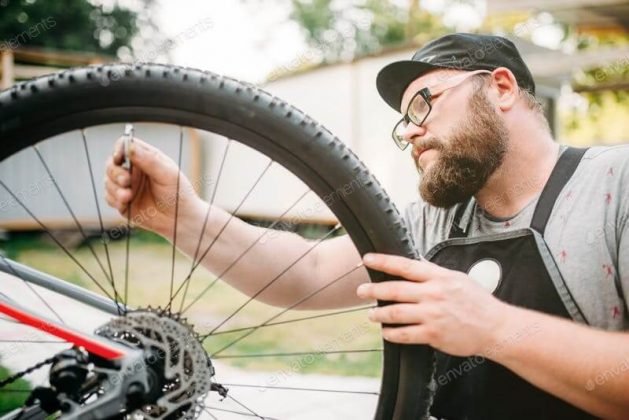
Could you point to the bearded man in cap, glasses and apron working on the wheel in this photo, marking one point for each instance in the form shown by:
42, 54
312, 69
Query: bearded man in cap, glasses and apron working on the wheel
525, 277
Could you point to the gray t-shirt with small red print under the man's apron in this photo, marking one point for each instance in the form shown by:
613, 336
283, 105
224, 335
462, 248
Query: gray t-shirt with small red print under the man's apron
587, 233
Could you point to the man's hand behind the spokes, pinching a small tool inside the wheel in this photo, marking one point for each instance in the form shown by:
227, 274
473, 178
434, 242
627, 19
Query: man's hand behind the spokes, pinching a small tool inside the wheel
151, 187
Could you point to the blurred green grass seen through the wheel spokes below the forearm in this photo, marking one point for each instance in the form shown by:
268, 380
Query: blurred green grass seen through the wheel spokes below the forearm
149, 284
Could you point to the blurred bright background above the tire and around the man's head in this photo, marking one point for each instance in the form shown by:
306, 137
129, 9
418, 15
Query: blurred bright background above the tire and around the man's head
323, 55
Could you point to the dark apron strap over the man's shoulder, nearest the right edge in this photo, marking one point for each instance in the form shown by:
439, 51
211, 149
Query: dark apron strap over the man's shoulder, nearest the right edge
563, 170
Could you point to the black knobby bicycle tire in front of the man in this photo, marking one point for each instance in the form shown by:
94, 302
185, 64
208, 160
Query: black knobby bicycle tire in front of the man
40, 108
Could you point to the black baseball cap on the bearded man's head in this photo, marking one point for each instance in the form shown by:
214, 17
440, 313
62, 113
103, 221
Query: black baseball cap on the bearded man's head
460, 51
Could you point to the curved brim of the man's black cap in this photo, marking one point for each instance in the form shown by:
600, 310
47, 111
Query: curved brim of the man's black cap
394, 78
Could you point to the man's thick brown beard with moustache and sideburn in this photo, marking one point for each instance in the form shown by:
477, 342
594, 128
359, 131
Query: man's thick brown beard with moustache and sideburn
467, 158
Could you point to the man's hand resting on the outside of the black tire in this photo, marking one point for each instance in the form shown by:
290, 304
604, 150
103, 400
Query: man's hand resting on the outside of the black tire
443, 308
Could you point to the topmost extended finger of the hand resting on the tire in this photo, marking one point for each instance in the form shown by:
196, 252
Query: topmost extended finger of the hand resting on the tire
406, 268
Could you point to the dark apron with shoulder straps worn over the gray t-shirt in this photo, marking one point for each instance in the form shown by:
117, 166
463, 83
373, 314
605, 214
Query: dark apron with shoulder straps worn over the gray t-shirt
475, 388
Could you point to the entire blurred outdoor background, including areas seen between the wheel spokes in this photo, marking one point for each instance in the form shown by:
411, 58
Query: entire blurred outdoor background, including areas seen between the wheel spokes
319, 55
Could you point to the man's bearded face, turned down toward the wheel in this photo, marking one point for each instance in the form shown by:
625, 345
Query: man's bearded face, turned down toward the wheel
461, 143
